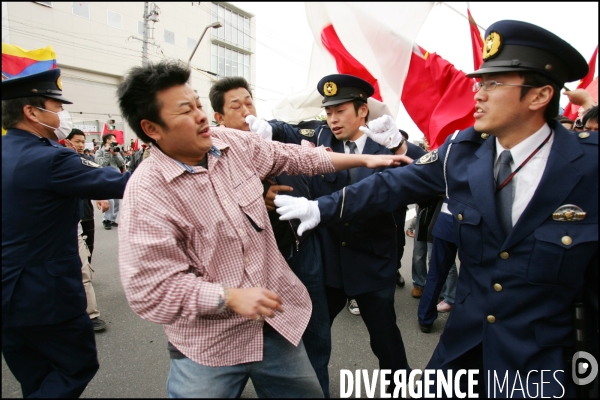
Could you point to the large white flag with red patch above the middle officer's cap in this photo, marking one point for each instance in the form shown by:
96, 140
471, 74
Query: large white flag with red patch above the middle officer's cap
373, 41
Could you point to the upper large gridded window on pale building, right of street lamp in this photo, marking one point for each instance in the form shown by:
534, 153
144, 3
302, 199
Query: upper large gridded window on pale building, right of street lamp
236, 27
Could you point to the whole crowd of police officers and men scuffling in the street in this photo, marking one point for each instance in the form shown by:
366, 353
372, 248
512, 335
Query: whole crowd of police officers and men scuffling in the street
262, 232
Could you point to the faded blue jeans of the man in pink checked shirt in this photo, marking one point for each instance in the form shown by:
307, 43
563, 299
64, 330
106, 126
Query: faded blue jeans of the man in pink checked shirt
283, 372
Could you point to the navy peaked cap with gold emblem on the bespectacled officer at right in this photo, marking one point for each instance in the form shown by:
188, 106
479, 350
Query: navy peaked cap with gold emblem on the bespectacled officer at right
520, 46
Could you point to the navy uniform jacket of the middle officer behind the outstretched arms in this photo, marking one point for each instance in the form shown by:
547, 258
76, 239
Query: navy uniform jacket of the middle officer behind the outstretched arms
360, 256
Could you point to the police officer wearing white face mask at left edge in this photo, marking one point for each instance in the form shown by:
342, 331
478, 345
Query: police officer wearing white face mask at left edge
47, 337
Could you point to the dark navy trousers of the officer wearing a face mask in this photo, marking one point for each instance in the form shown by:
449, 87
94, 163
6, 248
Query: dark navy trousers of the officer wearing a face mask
52, 360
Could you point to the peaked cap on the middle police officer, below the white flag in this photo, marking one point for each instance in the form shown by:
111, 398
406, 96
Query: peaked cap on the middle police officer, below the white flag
340, 88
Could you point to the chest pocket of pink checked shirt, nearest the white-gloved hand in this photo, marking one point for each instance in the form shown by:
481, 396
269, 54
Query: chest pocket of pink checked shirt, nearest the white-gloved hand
249, 197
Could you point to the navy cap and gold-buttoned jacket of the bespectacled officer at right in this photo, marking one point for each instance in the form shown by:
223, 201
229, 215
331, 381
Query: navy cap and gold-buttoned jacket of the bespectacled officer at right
513, 313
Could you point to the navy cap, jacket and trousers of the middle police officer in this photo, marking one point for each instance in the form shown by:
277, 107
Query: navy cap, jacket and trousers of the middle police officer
361, 258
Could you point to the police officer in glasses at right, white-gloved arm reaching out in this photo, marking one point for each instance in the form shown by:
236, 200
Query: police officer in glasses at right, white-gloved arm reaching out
523, 192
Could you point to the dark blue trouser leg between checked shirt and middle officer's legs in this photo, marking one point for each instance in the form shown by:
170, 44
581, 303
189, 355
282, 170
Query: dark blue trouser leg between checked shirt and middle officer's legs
308, 267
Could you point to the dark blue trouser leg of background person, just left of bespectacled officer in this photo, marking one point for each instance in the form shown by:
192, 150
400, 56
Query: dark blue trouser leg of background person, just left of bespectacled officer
443, 255
